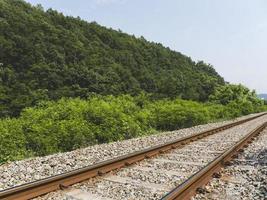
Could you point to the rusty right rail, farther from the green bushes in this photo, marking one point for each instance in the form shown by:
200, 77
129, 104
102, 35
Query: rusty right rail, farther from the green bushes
189, 188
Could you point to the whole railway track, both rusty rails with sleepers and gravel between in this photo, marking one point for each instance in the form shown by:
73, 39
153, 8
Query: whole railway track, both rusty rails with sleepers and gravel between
180, 166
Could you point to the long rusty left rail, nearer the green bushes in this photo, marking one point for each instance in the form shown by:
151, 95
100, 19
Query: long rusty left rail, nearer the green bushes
44, 186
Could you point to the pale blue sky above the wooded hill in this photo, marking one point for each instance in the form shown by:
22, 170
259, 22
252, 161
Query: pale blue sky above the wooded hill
231, 35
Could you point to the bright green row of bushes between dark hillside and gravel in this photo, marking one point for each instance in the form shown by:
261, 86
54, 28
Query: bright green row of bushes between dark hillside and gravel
67, 124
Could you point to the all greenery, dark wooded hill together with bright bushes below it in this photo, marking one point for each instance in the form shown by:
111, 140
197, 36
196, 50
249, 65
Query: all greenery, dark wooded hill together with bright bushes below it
66, 83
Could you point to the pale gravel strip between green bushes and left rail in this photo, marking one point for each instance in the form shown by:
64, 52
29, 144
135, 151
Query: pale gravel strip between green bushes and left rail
20, 172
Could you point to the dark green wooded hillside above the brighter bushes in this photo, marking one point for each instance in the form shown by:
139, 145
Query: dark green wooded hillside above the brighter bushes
45, 55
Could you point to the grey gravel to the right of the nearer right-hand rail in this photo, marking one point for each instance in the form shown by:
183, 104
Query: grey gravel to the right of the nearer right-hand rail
245, 178
